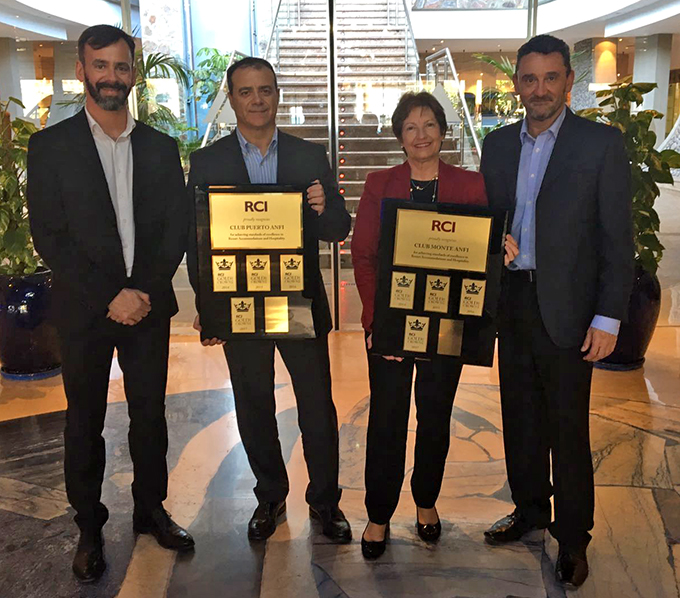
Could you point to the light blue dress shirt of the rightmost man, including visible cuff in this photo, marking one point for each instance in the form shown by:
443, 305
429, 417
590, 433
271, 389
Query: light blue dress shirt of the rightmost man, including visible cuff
533, 164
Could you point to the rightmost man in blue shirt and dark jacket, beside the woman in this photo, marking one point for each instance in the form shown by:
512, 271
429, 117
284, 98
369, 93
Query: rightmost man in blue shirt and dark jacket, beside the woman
565, 291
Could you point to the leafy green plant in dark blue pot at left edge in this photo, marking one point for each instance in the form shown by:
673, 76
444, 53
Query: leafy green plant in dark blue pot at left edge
28, 341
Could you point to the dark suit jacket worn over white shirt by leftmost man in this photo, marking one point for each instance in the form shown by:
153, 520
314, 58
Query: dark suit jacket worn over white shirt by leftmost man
73, 221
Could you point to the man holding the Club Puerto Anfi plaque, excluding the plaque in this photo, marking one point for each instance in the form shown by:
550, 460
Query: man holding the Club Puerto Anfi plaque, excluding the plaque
258, 153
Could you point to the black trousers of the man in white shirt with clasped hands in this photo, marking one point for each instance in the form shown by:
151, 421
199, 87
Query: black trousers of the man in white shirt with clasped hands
86, 366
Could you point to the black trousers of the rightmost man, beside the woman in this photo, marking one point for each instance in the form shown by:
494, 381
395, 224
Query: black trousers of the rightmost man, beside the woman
545, 397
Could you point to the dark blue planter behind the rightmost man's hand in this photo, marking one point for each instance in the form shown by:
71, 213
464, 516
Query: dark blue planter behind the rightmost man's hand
636, 334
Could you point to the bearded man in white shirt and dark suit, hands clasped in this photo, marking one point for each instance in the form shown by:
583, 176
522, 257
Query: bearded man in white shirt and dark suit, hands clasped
108, 214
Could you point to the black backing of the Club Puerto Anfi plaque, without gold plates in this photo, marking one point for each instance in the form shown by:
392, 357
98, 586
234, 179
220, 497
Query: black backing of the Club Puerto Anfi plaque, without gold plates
215, 307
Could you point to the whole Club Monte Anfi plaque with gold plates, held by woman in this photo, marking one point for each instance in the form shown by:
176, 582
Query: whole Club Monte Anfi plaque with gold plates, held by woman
438, 281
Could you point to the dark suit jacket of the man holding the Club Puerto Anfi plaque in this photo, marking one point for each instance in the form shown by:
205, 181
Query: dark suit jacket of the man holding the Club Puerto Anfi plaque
299, 163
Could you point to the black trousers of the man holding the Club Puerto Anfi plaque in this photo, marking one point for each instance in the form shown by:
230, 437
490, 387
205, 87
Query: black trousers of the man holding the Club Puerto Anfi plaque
251, 365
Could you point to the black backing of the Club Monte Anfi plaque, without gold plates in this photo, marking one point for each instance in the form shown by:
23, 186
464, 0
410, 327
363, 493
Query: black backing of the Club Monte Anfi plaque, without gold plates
479, 332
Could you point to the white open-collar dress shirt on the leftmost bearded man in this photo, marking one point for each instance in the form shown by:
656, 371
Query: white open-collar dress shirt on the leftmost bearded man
116, 159
